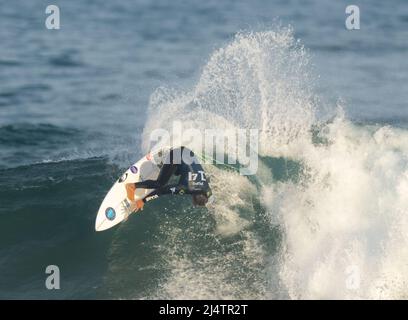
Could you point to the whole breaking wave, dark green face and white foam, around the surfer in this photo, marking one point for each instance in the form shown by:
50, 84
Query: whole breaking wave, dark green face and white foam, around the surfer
324, 217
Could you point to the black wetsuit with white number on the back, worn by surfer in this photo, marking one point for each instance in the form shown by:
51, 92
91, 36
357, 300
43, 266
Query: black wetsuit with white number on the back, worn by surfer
192, 176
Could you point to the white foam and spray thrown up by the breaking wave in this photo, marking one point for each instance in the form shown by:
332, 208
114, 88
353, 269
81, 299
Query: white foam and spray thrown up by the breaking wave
341, 205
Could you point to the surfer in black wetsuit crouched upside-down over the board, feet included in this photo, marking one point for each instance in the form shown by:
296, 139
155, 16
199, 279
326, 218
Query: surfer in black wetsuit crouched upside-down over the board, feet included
181, 162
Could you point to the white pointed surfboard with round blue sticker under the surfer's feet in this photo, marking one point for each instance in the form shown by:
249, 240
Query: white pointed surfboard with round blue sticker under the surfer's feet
115, 207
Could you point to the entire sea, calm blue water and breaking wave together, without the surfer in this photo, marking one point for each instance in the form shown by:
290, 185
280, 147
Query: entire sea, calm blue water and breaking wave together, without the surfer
326, 215
